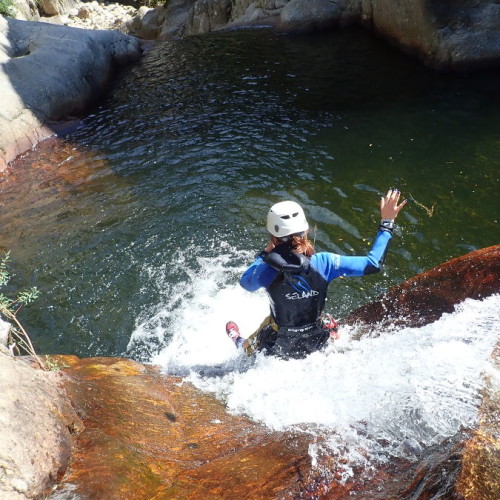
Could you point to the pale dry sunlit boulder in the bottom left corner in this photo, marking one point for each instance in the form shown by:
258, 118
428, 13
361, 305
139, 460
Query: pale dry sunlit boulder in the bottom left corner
37, 425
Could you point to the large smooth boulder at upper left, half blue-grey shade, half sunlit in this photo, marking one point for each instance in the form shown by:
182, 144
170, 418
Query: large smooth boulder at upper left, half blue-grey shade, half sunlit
48, 72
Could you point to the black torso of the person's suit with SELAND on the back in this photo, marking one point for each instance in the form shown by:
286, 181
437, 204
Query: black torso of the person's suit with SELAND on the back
297, 295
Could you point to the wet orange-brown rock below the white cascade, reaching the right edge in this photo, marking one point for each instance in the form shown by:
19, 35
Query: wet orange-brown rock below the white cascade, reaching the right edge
154, 436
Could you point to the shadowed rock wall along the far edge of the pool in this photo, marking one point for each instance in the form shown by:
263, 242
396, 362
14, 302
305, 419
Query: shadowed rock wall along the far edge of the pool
447, 35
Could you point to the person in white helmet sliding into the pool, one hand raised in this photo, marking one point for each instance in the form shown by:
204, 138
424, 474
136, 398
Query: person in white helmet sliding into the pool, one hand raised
296, 279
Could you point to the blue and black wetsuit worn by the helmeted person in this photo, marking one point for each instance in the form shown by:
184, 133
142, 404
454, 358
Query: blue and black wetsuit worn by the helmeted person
297, 287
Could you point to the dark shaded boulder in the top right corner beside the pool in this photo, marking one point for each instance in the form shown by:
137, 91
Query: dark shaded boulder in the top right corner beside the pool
448, 35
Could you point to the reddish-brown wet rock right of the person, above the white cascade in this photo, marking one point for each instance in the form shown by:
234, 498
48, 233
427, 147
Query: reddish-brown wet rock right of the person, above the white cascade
424, 298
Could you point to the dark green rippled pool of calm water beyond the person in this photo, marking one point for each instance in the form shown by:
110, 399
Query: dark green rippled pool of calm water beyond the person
182, 159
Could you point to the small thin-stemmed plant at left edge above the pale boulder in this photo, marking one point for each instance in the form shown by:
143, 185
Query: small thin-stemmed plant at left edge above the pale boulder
9, 308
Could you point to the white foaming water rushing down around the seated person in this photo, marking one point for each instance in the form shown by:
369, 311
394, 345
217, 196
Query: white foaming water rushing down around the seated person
391, 394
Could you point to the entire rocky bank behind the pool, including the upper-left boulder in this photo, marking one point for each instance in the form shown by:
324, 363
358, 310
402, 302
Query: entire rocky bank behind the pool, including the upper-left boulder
448, 38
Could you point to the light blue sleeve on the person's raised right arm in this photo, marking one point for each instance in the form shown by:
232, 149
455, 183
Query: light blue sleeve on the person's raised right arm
331, 265
